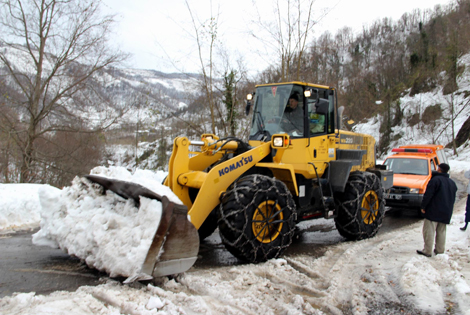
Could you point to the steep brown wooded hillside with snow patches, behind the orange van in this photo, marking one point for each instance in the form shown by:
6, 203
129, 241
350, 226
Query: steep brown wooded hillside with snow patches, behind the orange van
375, 67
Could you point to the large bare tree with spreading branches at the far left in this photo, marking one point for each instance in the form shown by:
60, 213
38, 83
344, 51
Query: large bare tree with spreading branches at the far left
52, 51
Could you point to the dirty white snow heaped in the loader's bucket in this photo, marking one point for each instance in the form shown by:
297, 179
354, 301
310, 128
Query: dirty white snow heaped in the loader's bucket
108, 232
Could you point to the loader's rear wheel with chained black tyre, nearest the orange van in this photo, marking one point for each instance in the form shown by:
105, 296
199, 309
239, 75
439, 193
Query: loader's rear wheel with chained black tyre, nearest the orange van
361, 207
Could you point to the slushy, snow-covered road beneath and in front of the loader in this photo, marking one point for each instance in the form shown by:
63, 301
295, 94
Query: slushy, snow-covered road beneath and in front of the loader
319, 274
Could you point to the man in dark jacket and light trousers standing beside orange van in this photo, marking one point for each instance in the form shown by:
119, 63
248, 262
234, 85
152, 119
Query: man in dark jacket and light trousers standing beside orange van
437, 207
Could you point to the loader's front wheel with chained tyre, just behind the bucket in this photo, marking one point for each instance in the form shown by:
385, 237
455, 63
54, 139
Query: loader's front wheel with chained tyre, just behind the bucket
257, 218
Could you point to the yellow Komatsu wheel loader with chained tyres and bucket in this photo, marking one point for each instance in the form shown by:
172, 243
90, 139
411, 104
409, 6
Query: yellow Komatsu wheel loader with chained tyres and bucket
298, 164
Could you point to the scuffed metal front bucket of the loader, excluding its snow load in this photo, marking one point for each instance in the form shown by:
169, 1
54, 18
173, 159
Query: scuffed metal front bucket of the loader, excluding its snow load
175, 244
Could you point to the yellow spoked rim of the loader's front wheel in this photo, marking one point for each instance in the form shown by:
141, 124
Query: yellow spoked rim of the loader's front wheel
267, 221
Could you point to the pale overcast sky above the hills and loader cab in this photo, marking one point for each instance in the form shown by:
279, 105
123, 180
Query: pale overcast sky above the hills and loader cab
159, 32
